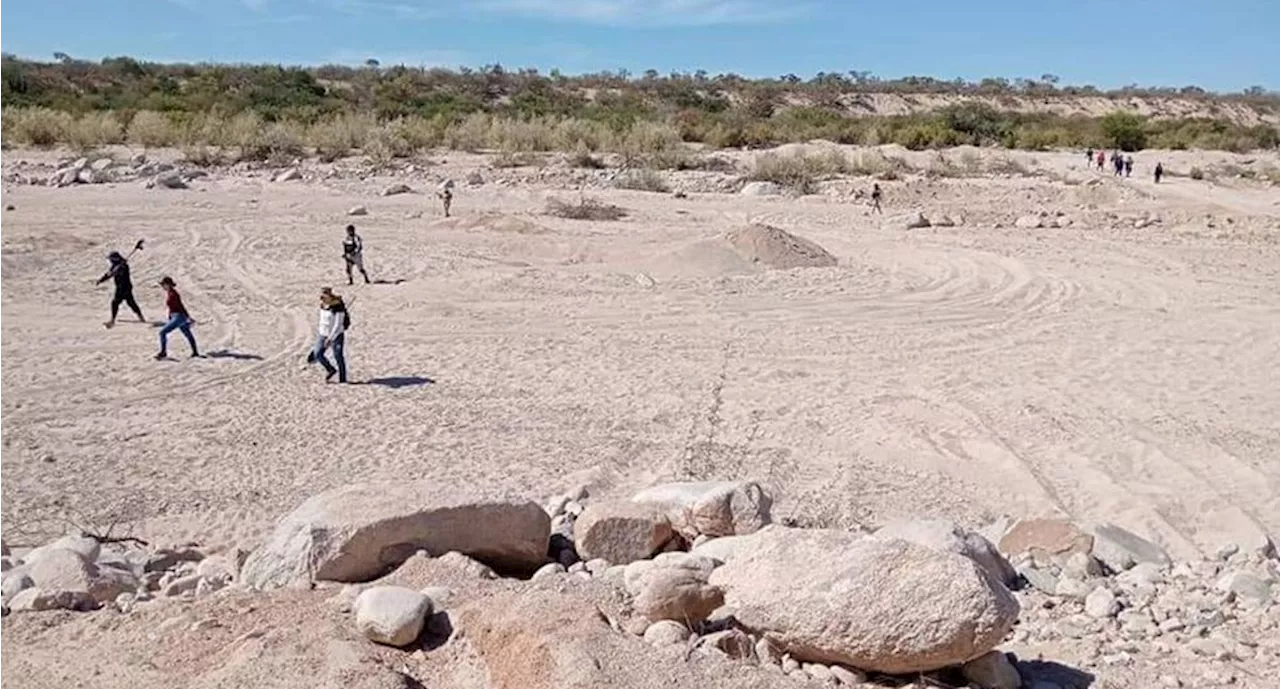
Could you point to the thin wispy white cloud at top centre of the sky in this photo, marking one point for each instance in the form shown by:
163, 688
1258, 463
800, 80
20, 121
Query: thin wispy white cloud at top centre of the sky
647, 12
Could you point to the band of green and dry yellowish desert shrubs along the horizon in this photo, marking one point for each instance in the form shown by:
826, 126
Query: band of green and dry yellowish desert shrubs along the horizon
386, 113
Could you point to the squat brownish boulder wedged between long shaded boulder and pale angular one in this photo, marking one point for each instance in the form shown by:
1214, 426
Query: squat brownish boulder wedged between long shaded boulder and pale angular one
621, 532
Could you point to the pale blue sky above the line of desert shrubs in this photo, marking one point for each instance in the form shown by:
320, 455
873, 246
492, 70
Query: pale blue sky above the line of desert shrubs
1219, 45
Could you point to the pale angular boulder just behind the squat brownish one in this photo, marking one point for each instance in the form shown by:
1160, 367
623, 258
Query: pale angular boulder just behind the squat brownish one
714, 509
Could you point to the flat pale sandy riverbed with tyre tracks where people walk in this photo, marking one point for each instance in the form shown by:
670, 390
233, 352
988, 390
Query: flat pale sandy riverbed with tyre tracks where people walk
1096, 371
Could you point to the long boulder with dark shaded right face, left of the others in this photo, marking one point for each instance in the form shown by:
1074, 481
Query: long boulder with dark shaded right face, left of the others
360, 532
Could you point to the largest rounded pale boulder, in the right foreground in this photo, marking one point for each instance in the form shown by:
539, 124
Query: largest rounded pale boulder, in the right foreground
885, 606
